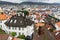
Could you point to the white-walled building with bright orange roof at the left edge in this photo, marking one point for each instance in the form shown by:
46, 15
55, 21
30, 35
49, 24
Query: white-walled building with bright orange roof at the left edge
3, 19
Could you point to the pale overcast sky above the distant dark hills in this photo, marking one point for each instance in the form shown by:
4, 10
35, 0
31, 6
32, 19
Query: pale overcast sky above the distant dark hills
47, 1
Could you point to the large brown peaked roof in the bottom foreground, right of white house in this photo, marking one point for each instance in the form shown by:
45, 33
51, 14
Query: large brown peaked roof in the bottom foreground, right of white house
46, 36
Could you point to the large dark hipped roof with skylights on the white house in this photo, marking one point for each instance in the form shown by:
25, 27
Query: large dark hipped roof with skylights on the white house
18, 21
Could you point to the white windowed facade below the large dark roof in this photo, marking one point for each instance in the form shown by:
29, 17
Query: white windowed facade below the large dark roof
27, 31
